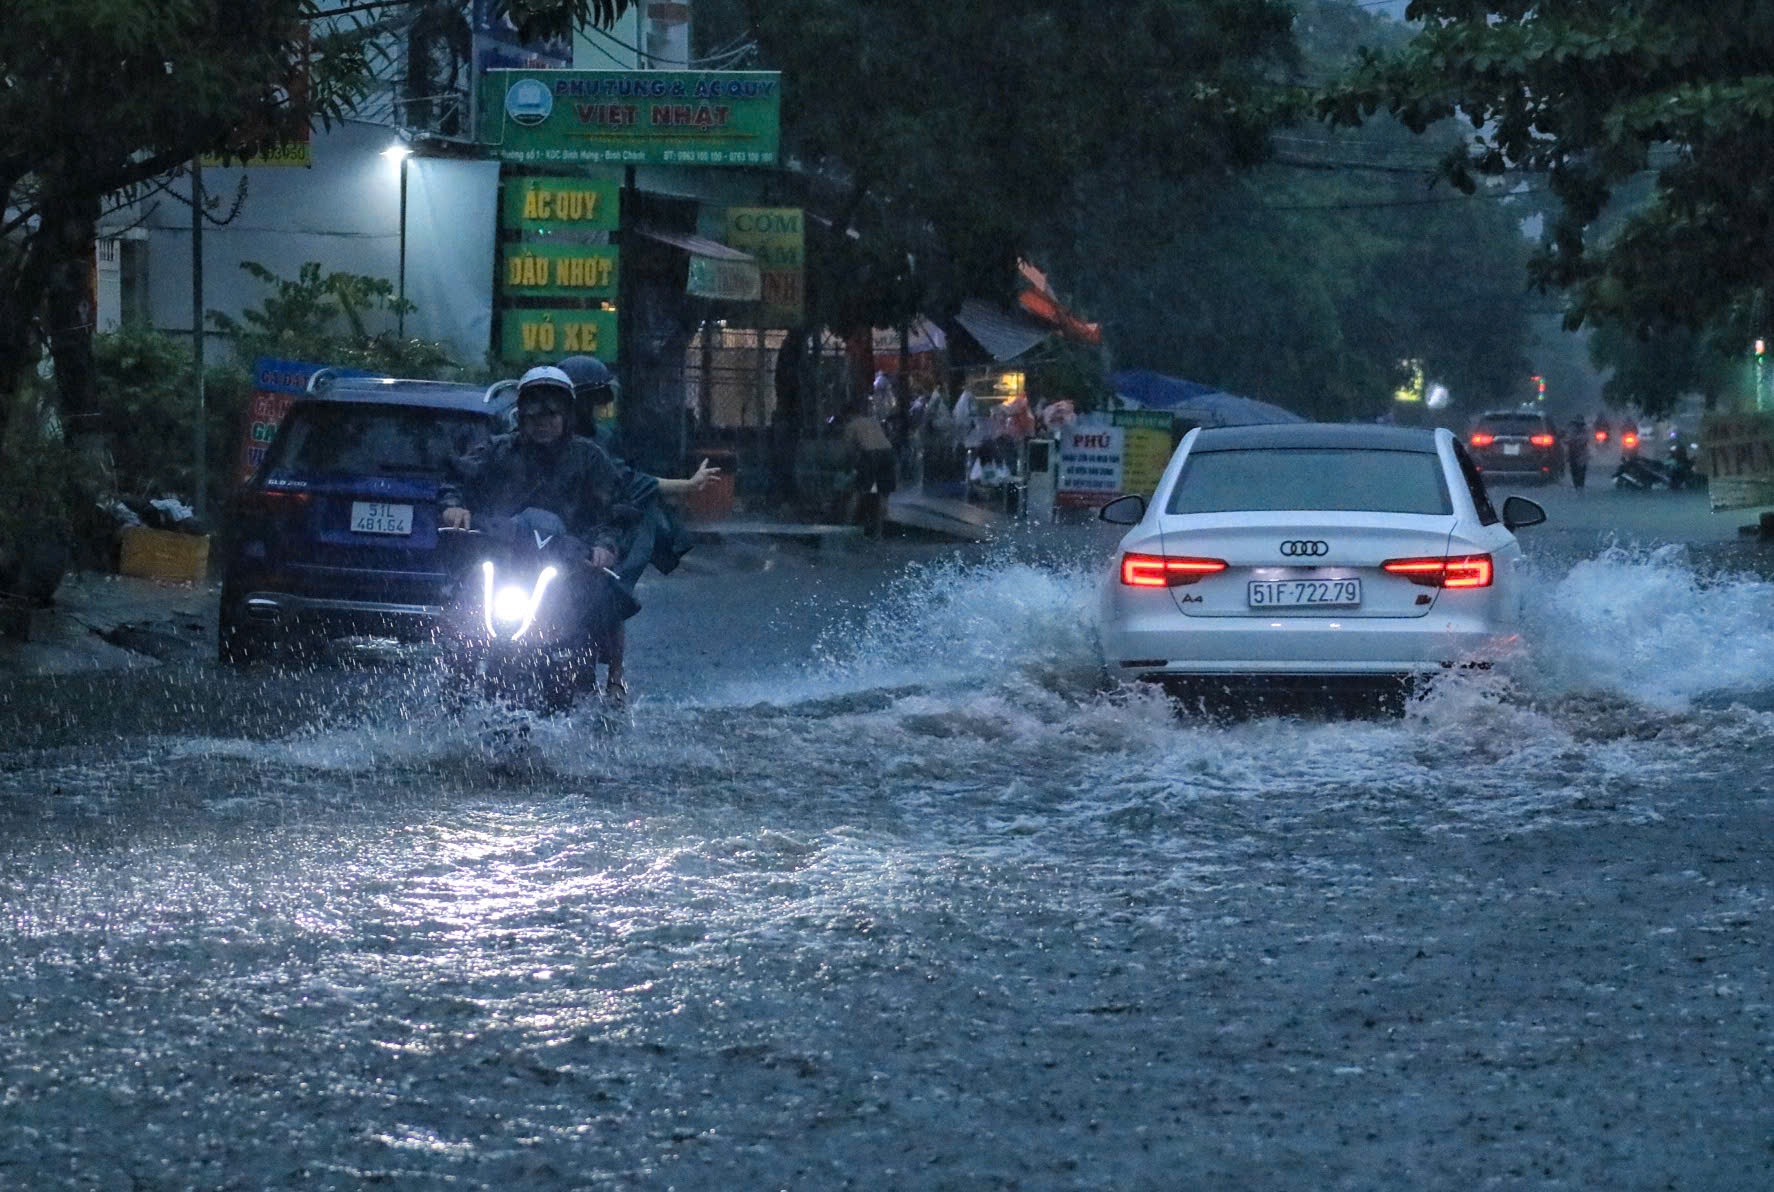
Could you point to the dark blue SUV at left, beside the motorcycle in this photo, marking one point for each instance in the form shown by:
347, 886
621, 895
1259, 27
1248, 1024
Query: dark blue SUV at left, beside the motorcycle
336, 535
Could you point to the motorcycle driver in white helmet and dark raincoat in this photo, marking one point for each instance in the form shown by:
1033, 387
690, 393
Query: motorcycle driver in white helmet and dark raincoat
546, 467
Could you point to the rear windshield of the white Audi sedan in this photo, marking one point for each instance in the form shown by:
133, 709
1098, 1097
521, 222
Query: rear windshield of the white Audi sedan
1372, 482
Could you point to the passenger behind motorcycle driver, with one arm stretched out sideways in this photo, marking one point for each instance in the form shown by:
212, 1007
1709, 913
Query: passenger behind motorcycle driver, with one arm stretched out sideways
650, 533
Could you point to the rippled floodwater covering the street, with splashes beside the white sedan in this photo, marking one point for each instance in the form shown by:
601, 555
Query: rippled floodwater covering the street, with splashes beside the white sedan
913, 902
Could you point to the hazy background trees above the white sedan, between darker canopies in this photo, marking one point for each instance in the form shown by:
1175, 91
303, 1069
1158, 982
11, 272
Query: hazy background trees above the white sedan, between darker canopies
1323, 278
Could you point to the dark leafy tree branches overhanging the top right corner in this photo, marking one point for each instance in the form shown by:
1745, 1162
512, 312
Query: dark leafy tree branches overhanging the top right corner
1590, 97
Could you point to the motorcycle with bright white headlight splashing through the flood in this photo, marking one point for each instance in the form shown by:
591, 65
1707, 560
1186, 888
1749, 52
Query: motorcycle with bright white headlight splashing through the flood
526, 613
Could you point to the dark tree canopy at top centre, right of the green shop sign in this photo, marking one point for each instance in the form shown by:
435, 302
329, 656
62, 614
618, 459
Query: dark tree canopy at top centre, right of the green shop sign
966, 134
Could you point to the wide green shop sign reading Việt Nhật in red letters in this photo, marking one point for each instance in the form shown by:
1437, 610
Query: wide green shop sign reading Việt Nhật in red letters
634, 118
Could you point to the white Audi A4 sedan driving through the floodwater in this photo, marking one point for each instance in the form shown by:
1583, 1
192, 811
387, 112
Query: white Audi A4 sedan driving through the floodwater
1314, 554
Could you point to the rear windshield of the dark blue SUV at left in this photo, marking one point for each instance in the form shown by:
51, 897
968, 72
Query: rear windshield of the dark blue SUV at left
375, 441
